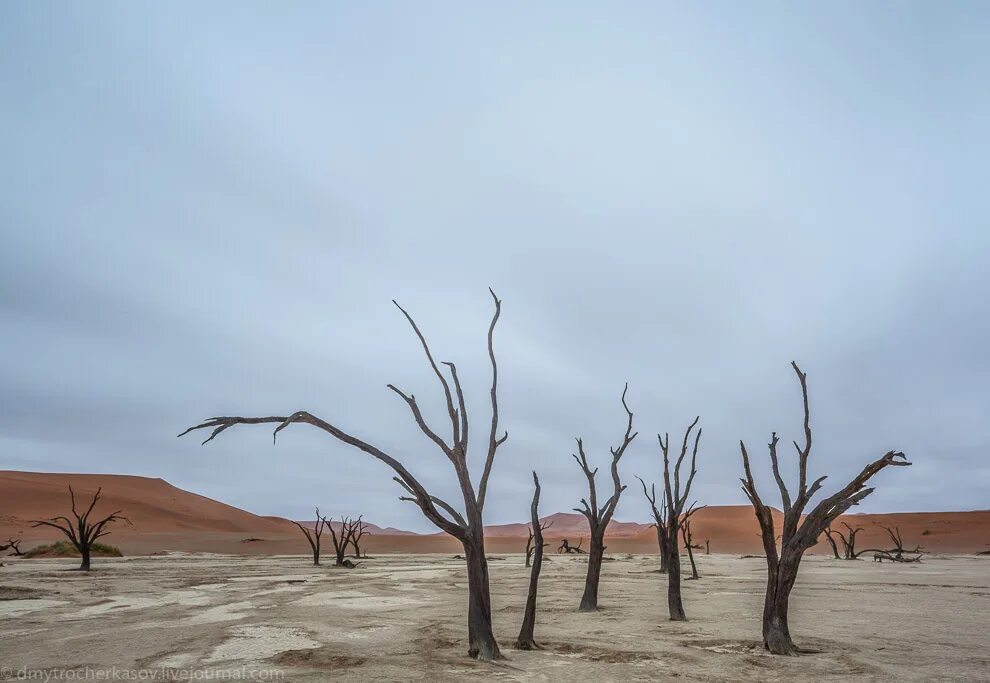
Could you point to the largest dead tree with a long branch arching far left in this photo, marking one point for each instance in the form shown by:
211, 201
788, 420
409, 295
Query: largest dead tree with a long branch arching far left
468, 528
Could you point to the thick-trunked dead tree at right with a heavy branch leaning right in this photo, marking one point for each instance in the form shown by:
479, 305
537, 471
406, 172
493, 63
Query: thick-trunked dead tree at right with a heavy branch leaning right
801, 530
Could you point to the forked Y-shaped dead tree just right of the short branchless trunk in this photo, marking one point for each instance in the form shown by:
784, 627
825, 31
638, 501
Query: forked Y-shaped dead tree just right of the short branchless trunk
599, 517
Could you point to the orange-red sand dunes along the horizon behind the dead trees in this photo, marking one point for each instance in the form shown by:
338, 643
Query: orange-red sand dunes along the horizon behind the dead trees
167, 518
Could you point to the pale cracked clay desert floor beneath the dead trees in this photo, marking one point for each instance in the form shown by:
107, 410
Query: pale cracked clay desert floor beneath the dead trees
402, 617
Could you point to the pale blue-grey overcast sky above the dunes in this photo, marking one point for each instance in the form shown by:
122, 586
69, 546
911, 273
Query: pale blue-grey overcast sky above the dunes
206, 210
